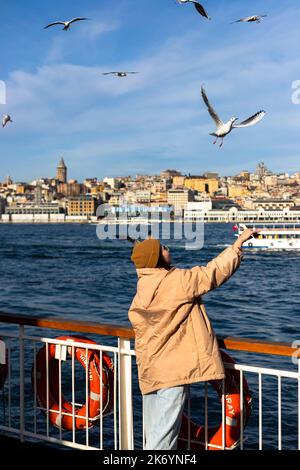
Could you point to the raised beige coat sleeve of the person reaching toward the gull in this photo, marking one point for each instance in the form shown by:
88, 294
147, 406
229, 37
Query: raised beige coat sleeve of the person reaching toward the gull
202, 279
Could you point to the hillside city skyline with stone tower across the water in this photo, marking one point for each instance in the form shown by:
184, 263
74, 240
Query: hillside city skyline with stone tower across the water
60, 199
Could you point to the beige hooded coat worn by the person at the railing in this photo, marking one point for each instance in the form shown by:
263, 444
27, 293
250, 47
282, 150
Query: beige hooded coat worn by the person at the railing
174, 341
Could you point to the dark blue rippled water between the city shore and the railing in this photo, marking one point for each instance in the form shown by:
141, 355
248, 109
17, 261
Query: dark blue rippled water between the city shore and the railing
66, 271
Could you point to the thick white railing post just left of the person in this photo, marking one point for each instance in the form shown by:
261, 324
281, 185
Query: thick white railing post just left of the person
125, 396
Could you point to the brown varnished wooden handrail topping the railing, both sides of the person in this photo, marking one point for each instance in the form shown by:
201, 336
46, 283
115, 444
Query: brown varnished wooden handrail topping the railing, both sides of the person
108, 329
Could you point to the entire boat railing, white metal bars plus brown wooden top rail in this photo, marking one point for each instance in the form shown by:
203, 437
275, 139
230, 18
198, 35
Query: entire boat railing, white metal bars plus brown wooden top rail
275, 392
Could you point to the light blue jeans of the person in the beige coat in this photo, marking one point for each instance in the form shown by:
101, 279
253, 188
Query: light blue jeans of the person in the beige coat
162, 417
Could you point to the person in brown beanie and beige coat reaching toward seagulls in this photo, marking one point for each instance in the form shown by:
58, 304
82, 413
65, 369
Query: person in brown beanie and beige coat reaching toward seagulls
174, 341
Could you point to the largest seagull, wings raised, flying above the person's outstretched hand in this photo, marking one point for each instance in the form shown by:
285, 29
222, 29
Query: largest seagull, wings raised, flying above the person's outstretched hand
225, 128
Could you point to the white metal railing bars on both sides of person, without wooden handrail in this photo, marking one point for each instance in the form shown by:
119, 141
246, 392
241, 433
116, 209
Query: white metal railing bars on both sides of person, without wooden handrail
24, 416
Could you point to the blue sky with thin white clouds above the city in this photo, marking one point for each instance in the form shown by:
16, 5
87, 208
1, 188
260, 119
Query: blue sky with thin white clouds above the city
62, 105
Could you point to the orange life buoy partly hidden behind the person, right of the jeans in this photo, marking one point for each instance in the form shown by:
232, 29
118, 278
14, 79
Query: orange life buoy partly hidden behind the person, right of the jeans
232, 414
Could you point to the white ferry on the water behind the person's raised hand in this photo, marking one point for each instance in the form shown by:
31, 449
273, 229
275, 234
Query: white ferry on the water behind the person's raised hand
285, 236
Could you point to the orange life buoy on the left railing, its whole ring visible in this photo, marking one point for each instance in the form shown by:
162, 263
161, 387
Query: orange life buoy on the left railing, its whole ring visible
91, 409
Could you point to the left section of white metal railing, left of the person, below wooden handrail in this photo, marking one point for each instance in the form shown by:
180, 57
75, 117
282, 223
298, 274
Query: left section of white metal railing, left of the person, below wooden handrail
29, 422
